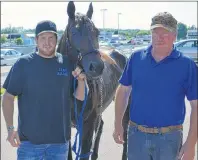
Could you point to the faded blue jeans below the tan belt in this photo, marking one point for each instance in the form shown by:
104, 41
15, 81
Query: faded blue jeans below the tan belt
145, 146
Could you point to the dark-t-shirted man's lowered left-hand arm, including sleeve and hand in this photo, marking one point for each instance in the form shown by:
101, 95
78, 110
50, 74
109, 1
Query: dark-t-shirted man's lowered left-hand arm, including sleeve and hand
14, 86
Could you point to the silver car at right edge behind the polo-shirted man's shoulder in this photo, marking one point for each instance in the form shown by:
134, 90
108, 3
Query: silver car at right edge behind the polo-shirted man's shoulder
188, 47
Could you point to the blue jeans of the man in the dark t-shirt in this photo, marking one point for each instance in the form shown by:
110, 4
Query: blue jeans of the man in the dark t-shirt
29, 151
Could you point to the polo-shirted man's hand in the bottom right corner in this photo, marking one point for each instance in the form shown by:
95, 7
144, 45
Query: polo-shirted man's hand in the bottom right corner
187, 152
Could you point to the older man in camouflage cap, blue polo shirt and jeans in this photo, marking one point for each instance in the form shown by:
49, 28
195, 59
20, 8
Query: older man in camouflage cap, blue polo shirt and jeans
158, 78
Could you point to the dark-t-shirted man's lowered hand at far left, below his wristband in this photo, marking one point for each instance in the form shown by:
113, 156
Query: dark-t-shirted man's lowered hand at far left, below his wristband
13, 138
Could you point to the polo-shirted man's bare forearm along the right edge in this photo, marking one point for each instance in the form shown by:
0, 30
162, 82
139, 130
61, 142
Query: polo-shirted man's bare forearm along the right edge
192, 134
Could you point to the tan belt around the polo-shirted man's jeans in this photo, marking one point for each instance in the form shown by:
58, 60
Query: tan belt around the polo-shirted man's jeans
156, 130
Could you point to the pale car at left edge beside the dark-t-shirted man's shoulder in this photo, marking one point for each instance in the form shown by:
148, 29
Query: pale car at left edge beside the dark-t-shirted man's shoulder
9, 56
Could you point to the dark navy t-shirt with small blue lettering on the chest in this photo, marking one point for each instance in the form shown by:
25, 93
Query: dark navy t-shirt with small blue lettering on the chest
44, 90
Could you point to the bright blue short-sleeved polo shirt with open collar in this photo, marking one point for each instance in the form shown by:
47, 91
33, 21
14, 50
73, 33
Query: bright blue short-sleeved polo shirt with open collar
159, 88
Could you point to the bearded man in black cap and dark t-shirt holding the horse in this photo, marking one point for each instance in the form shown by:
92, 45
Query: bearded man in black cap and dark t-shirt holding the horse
43, 83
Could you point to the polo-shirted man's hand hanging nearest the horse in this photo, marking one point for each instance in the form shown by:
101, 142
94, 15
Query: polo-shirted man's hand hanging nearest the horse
118, 134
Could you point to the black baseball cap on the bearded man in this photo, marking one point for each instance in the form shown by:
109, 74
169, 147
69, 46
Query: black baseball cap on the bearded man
45, 26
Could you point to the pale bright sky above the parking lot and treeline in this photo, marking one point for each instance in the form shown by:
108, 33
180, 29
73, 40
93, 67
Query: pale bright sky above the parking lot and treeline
134, 14
